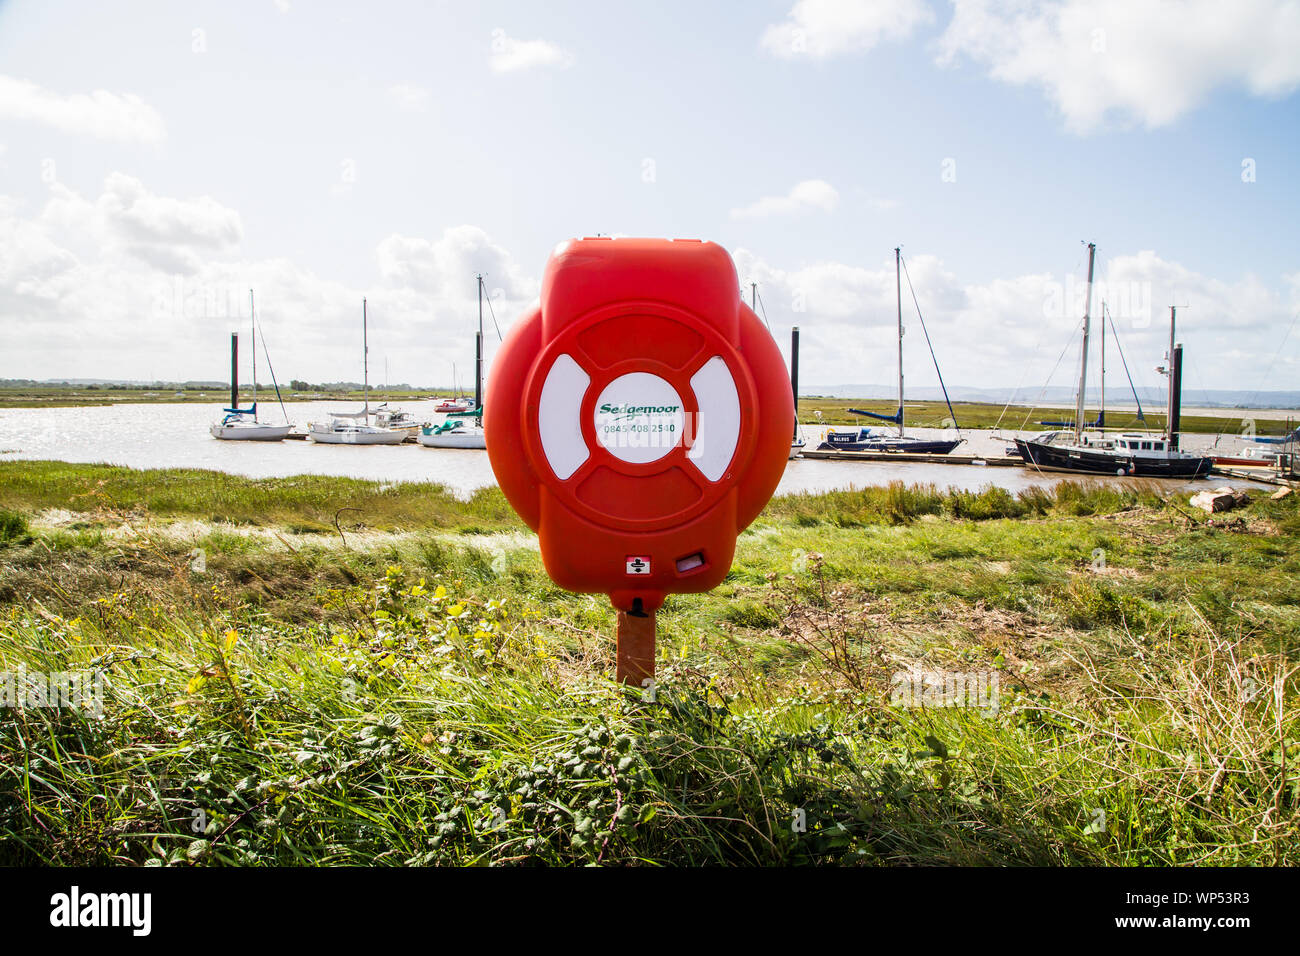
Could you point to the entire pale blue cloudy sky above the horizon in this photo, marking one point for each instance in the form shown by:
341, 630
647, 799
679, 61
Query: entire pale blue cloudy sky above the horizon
158, 161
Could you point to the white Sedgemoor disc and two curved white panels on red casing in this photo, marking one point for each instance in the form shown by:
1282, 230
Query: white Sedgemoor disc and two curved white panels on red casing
640, 418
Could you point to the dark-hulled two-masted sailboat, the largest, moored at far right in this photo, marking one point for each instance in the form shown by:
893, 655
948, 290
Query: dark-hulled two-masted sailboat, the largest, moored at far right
1132, 455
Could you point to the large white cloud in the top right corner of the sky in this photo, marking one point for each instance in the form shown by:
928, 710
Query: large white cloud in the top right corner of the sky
1146, 62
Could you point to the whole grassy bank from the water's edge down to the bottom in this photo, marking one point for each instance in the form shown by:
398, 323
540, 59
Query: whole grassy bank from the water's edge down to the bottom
330, 672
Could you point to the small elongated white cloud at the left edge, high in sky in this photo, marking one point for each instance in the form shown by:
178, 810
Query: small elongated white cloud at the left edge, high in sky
102, 115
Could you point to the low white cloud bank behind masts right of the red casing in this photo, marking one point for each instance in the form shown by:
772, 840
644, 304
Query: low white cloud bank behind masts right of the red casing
1009, 332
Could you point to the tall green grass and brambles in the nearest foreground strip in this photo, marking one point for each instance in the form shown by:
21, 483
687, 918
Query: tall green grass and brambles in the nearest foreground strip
437, 729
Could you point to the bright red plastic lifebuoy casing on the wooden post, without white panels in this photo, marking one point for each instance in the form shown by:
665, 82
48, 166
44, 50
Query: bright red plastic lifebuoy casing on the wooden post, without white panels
619, 306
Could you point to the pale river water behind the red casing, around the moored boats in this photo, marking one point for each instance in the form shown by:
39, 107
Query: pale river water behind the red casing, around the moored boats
176, 436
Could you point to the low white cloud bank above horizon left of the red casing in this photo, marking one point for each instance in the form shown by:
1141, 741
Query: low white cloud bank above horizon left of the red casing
135, 285
